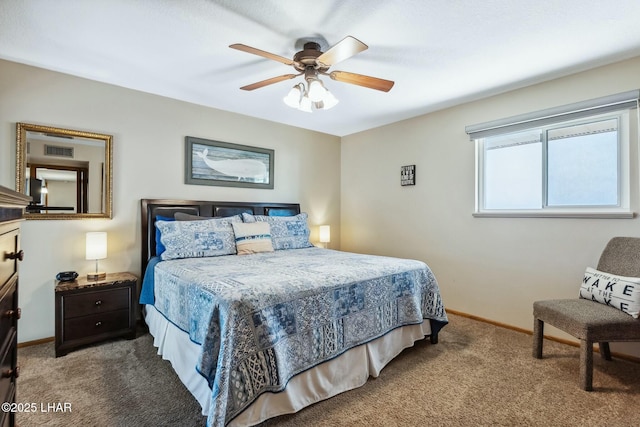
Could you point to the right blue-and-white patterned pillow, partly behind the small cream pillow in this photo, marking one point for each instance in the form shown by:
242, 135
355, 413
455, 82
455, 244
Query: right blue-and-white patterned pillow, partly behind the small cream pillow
287, 232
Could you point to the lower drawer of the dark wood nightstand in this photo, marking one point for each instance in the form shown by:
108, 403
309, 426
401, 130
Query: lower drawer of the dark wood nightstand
96, 324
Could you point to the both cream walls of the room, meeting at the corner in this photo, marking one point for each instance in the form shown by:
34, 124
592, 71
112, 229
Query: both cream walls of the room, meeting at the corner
490, 267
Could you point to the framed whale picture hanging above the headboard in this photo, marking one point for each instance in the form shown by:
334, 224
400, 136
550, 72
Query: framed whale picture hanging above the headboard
225, 164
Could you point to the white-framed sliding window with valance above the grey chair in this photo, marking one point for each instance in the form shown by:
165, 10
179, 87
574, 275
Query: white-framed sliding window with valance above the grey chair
572, 163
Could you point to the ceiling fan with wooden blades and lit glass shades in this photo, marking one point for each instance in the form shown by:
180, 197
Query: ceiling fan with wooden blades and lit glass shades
312, 62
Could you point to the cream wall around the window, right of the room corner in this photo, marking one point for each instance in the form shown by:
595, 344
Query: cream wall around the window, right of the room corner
489, 267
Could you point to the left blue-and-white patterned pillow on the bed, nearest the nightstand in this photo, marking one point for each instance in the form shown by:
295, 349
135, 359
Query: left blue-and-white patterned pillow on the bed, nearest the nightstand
195, 239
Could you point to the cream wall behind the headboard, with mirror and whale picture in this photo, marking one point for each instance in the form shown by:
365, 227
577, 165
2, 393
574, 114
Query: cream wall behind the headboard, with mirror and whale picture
148, 162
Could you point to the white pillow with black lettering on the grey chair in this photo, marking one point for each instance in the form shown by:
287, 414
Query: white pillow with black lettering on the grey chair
620, 292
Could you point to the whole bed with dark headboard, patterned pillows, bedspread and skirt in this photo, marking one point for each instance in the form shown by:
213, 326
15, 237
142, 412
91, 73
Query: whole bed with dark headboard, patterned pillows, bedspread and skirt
268, 333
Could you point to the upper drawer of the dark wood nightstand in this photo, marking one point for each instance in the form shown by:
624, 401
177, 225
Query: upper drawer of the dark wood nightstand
86, 303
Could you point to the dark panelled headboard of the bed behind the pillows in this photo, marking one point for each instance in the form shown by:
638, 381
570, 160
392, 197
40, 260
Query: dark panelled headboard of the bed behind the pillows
151, 208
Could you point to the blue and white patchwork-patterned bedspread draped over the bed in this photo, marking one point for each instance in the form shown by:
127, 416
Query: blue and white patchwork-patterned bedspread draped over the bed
263, 318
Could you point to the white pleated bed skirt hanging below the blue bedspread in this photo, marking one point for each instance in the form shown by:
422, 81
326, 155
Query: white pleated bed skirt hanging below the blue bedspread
346, 372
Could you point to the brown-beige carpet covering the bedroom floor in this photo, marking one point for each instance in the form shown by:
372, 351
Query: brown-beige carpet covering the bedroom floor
478, 375
